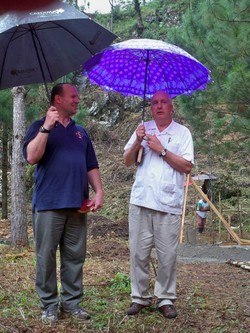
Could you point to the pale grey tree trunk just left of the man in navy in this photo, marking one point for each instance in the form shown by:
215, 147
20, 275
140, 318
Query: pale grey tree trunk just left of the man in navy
19, 235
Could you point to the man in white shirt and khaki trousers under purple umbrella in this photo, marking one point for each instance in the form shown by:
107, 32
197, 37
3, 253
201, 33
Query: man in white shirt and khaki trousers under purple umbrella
156, 203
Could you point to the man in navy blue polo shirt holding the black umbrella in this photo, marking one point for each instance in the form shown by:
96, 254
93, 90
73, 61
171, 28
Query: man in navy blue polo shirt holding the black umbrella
66, 165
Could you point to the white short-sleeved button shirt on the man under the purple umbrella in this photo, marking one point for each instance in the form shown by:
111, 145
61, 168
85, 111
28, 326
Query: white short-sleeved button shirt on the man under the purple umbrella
157, 185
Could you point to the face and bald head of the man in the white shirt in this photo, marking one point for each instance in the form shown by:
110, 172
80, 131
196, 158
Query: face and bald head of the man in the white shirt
161, 106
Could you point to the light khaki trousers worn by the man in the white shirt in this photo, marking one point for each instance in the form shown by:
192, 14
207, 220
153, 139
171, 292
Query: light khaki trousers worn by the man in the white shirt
148, 228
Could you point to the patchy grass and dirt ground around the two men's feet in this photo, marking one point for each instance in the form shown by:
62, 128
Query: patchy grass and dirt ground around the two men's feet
212, 298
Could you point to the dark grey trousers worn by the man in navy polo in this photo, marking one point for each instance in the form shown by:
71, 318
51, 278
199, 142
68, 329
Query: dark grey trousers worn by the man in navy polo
67, 229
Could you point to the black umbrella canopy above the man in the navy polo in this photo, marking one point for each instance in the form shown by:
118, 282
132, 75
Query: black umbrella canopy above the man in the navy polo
43, 45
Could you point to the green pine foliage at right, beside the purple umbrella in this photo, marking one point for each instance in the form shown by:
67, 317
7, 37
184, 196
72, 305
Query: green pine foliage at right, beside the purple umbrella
216, 34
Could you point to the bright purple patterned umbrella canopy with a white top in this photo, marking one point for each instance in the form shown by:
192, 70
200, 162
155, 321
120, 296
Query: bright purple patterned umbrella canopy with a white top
140, 67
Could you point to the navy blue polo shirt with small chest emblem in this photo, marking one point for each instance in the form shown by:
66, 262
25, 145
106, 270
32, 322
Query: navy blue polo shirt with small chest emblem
61, 176
